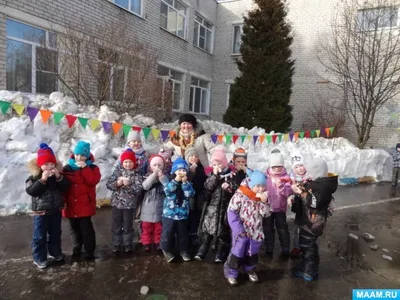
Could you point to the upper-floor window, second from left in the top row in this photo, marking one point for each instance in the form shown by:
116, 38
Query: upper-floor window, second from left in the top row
173, 17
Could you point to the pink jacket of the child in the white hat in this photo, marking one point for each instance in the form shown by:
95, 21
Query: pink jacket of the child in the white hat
278, 194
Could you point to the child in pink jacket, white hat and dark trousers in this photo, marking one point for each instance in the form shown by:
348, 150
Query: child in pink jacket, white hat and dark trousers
279, 189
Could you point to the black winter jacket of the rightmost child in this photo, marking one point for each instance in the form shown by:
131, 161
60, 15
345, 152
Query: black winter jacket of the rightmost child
312, 206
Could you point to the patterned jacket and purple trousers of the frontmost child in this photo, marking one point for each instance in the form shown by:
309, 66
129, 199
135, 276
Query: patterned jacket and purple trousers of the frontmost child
245, 219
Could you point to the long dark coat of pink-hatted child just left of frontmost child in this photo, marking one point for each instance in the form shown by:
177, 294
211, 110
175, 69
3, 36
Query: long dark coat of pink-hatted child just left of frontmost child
213, 220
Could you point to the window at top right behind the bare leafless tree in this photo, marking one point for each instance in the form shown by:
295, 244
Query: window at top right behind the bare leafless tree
377, 18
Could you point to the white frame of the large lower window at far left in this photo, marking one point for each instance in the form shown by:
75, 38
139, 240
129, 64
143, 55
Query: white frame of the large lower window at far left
34, 46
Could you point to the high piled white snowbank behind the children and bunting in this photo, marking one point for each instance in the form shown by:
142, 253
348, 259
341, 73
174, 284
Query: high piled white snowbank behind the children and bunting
20, 138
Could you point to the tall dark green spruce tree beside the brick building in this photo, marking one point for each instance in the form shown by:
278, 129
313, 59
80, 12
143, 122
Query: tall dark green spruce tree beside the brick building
260, 95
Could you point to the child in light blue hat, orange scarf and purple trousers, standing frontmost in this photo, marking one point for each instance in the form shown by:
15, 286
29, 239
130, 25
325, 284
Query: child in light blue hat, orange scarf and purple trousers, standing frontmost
246, 211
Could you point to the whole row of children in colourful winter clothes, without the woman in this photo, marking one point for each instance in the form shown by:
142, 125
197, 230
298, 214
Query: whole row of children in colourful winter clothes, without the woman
225, 205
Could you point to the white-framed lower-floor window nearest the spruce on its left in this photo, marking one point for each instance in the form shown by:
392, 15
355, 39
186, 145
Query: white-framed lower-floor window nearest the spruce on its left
199, 95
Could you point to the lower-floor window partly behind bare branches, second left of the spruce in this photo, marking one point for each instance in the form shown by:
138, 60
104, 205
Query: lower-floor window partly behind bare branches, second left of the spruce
173, 80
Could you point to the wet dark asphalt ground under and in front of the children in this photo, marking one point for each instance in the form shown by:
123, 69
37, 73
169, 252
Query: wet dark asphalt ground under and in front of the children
121, 276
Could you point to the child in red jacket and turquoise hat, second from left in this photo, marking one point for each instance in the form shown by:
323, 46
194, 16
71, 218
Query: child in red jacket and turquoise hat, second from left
80, 199
